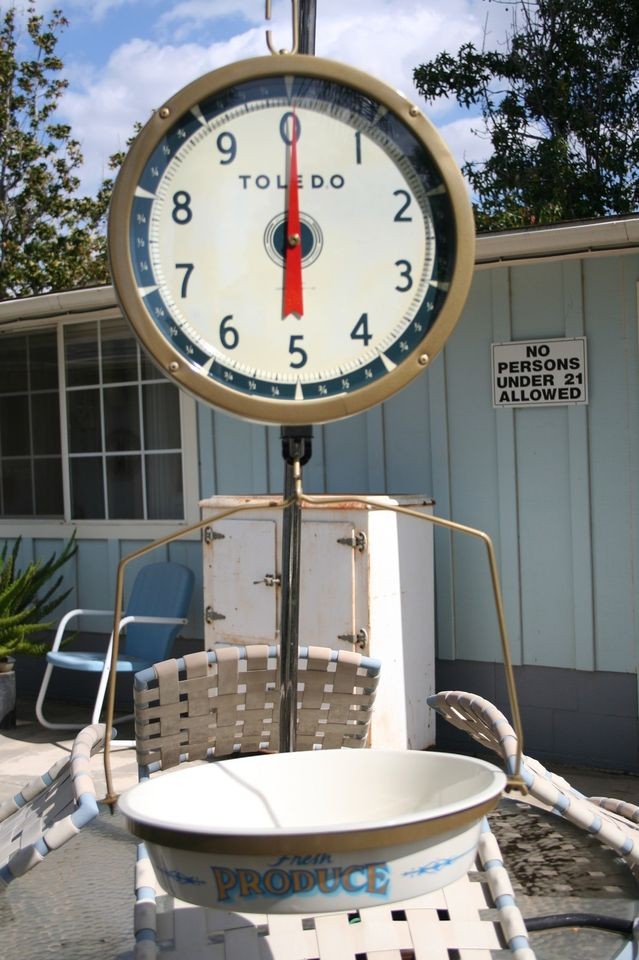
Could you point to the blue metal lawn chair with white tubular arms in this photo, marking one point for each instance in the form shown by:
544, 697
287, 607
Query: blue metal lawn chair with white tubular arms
156, 610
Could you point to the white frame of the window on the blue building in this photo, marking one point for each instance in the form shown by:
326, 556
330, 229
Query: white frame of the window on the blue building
144, 530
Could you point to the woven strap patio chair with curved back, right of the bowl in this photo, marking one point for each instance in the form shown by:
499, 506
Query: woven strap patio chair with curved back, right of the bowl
613, 822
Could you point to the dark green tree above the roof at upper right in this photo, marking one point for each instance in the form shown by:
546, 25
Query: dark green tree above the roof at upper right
560, 107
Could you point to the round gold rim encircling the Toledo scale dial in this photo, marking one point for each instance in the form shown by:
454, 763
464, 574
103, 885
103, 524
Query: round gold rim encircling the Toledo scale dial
190, 376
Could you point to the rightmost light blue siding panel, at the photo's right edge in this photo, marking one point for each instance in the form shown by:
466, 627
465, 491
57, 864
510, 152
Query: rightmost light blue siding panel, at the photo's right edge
610, 307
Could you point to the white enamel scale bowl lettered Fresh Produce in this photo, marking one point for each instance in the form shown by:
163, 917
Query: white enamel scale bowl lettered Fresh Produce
315, 831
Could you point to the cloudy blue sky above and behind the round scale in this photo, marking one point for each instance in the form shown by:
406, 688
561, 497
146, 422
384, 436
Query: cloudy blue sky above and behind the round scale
123, 58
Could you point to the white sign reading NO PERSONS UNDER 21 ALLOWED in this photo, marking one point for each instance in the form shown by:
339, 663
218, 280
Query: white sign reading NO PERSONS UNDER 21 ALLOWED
535, 373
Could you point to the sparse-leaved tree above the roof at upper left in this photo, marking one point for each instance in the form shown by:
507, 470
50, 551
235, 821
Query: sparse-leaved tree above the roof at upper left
51, 237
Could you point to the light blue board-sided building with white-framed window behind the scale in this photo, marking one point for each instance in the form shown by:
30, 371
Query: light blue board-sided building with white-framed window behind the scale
93, 440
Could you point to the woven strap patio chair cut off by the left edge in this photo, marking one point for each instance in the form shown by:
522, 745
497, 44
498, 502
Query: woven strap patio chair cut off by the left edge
50, 810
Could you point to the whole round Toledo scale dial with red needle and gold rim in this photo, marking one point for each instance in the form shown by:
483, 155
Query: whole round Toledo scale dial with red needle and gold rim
291, 240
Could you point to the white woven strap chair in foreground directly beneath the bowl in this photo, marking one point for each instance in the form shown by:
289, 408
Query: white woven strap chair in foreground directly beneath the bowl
475, 918
